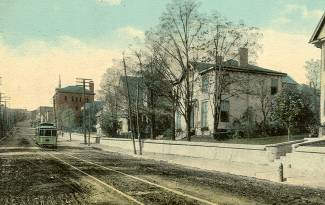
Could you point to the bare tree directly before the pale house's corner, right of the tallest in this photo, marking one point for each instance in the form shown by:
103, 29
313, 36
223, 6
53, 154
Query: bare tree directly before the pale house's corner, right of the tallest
224, 39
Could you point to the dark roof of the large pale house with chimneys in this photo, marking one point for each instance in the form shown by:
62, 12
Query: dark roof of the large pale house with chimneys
232, 65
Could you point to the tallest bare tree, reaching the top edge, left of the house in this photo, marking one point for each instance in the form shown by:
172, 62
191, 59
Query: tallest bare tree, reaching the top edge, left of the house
177, 36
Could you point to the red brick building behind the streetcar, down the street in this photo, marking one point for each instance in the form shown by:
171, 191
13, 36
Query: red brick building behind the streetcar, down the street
71, 97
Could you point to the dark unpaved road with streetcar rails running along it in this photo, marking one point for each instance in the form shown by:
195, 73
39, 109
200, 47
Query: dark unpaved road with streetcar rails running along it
31, 175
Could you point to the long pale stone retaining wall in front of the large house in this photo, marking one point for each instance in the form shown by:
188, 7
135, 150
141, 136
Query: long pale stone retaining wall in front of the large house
257, 154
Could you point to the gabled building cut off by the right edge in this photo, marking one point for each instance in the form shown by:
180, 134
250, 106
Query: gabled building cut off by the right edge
318, 39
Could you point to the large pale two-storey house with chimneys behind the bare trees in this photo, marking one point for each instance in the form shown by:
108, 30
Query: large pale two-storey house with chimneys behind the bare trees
241, 95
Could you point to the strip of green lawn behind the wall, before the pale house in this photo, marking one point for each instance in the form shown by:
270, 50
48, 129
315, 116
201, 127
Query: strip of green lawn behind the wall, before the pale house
256, 141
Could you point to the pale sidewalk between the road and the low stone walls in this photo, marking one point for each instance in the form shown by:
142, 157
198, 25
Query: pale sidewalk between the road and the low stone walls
266, 172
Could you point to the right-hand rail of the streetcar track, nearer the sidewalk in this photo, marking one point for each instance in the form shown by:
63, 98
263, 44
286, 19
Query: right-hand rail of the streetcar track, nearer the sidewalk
145, 181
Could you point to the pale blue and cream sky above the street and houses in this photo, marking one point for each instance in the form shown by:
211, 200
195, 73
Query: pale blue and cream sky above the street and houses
42, 39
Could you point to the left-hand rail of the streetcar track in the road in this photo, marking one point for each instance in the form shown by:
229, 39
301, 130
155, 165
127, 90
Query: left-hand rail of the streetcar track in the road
98, 180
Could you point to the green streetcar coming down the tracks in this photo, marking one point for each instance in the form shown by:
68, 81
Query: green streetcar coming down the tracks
46, 135
